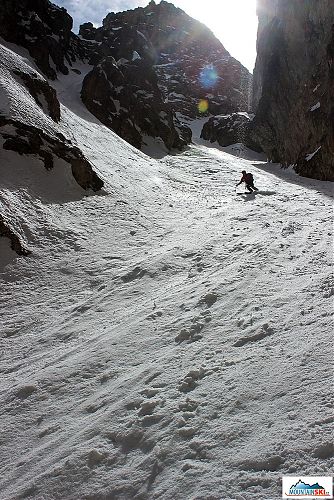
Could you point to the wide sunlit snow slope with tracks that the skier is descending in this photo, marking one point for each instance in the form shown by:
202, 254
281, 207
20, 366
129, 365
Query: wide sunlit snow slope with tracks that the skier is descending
167, 338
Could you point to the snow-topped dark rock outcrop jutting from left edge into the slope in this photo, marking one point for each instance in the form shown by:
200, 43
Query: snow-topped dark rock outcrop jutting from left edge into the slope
28, 117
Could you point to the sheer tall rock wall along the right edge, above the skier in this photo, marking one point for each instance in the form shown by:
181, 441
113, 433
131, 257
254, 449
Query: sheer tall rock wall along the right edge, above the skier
294, 85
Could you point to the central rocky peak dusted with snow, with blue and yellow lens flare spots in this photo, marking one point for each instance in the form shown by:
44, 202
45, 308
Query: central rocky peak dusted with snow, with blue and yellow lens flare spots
159, 62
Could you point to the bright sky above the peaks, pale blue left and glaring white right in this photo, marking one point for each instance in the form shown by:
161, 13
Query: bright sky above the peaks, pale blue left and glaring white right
234, 22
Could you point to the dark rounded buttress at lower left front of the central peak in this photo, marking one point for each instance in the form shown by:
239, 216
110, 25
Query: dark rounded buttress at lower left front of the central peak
125, 97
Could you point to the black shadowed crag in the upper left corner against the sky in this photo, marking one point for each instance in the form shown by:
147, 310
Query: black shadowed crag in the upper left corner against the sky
45, 30
